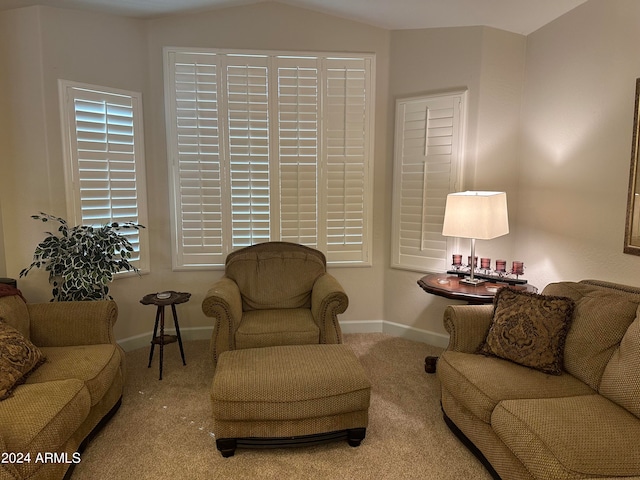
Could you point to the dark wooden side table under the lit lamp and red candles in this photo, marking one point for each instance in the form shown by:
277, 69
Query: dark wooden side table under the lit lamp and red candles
449, 286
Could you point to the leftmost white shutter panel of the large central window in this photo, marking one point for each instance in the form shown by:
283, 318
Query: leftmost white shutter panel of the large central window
195, 154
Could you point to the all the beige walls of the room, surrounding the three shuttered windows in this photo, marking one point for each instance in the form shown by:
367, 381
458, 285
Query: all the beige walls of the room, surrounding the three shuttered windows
555, 135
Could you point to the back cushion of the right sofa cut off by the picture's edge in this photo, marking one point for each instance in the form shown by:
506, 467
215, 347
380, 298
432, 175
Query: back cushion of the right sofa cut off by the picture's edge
621, 379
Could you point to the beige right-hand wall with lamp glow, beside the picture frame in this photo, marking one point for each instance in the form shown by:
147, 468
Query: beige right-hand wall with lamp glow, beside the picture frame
576, 145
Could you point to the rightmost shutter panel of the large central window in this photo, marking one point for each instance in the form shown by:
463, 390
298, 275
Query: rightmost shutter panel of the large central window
347, 145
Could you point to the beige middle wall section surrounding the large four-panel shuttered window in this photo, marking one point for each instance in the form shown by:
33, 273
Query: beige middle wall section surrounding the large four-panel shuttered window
265, 26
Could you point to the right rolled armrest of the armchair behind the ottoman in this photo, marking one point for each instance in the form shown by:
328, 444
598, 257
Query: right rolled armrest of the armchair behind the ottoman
328, 299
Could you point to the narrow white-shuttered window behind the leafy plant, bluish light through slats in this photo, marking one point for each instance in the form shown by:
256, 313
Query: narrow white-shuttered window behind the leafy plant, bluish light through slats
104, 160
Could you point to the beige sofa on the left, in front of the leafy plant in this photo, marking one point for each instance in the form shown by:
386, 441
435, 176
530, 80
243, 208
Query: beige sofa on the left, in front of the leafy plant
46, 421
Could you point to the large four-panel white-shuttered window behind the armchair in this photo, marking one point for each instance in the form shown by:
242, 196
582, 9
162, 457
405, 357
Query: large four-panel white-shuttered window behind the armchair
269, 146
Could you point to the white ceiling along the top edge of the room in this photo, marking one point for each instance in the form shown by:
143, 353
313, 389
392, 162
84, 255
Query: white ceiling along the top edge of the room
519, 16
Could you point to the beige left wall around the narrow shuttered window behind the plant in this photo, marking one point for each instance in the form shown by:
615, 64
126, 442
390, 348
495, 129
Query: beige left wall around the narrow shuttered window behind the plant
47, 44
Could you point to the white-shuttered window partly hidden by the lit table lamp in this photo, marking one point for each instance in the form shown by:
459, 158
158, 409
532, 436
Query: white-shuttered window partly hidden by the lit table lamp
429, 141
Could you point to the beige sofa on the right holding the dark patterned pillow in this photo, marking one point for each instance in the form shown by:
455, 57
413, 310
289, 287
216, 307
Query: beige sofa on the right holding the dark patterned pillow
526, 424
